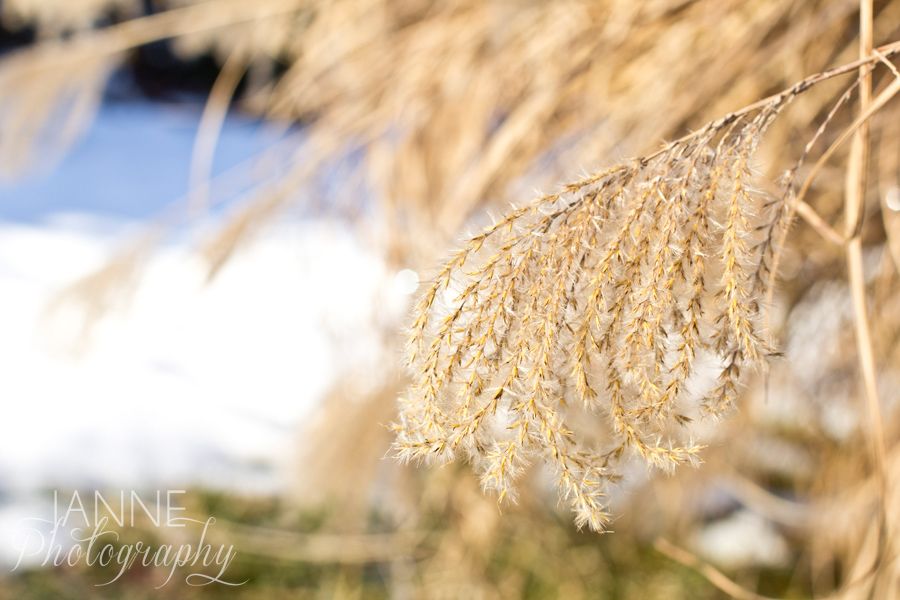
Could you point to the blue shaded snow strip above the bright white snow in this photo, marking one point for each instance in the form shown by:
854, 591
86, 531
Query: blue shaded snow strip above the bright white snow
132, 163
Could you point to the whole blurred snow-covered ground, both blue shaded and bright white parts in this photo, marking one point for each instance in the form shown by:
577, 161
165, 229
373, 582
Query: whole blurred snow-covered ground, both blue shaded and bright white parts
188, 383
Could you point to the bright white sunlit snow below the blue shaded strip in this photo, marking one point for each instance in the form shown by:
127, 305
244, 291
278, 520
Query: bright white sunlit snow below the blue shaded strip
190, 383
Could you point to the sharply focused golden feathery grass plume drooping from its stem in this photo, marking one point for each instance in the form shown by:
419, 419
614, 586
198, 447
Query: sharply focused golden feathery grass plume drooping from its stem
603, 295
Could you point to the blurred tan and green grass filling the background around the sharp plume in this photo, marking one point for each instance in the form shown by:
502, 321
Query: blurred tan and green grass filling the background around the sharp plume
426, 116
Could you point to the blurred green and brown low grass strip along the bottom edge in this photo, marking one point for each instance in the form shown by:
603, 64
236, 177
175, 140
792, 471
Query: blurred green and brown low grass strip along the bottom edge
287, 552
